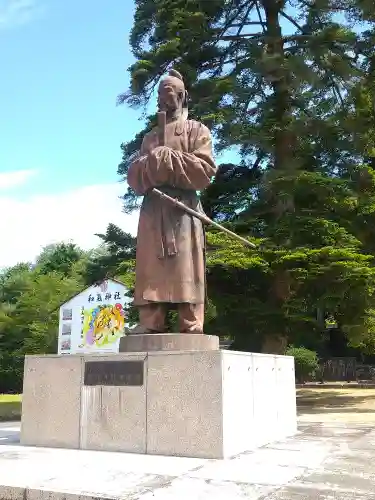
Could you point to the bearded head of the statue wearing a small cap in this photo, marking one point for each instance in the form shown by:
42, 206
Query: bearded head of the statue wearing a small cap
172, 96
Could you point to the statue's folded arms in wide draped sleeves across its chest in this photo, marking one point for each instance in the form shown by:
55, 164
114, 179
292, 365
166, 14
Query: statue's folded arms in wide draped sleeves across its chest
165, 166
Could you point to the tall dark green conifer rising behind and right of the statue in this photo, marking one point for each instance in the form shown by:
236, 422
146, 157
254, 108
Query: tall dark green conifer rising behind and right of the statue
279, 81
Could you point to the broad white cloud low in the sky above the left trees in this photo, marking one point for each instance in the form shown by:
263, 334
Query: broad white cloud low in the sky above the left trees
28, 225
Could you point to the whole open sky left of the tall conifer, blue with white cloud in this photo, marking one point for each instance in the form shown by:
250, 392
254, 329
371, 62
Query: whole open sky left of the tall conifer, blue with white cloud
63, 62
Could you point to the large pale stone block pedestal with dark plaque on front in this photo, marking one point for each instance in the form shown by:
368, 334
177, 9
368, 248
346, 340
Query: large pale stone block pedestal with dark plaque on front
207, 404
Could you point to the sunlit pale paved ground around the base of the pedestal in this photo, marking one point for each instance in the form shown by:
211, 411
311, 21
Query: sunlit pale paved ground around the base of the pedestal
329, 460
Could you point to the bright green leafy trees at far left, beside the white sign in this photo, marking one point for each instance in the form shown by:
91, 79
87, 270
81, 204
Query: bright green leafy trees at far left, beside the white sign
30, 296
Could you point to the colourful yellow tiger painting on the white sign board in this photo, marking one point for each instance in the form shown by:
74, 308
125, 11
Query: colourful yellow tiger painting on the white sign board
102, 325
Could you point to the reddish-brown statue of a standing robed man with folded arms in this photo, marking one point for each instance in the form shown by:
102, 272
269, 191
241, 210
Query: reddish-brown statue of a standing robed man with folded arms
170, 268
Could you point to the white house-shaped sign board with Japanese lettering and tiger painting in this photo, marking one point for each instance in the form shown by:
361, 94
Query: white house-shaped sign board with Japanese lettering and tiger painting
94, 320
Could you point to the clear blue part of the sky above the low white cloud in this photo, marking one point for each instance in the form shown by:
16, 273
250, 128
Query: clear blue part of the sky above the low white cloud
62, 70
